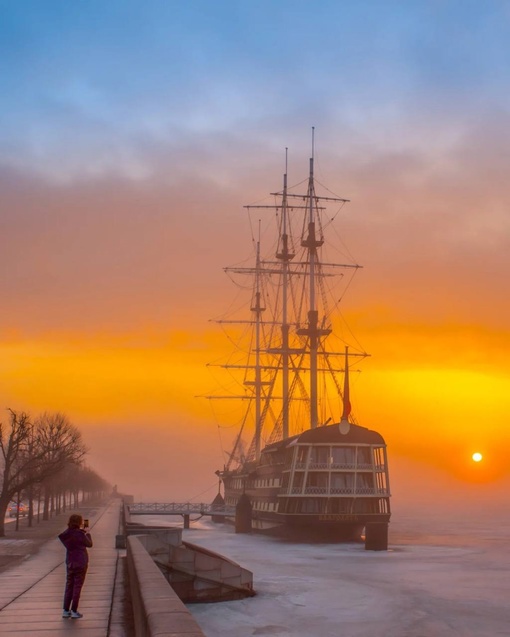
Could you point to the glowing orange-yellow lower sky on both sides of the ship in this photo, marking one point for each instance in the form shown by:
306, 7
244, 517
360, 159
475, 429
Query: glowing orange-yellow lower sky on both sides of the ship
436, 392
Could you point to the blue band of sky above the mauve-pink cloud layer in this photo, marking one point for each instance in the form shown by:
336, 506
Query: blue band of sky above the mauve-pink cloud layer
82, 79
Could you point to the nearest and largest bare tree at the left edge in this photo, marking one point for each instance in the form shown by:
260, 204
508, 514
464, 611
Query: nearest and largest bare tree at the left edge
34, 452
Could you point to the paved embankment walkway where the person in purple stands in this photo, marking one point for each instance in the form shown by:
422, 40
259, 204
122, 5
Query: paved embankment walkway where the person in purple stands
31, 592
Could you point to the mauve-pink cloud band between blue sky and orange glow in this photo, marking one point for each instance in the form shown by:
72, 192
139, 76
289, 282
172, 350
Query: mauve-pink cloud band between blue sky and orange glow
431, 229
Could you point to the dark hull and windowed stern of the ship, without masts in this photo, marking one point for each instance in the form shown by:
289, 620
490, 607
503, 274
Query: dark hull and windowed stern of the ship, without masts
322, 484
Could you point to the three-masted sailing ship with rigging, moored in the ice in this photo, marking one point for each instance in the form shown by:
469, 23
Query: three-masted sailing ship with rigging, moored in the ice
310, 471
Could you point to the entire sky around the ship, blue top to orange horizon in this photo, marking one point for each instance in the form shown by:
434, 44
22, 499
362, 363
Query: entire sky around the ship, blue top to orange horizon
133, 136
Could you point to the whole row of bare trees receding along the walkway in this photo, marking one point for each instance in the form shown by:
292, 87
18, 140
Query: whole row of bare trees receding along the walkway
42, 462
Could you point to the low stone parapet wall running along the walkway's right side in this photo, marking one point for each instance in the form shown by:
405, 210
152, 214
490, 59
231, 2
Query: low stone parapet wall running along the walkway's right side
157, 609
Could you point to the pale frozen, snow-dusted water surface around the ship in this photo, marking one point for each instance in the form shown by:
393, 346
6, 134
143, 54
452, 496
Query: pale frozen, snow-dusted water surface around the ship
444, 575
